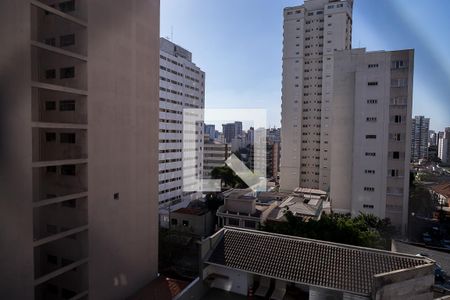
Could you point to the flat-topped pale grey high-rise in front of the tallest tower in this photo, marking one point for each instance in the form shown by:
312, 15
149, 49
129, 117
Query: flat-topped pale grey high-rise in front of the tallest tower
371, 133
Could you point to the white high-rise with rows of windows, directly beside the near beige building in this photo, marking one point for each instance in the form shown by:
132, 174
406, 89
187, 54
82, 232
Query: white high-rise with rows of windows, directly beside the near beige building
182, 86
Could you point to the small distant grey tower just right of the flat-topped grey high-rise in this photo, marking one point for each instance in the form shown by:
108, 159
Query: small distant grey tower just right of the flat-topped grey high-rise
419, 137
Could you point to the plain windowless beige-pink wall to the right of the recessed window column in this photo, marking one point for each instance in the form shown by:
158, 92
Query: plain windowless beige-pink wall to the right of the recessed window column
123, 105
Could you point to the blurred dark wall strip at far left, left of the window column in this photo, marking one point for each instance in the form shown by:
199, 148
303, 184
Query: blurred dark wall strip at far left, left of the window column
16, 227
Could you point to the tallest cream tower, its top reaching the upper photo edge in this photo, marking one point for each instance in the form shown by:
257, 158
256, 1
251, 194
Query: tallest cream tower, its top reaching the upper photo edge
312, 32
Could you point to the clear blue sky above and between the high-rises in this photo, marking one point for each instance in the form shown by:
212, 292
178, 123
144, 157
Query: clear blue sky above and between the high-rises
238, 43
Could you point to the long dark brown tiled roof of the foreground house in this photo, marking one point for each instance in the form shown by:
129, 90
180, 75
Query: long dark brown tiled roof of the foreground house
306, 261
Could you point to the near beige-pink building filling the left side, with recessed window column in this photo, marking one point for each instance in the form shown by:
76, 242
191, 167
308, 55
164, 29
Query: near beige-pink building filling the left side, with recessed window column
79, 148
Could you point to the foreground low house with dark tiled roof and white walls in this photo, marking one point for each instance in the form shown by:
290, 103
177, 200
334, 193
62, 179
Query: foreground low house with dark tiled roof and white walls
238, 262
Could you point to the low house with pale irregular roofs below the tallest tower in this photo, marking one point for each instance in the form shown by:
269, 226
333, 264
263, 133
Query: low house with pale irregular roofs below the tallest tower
246, 208
